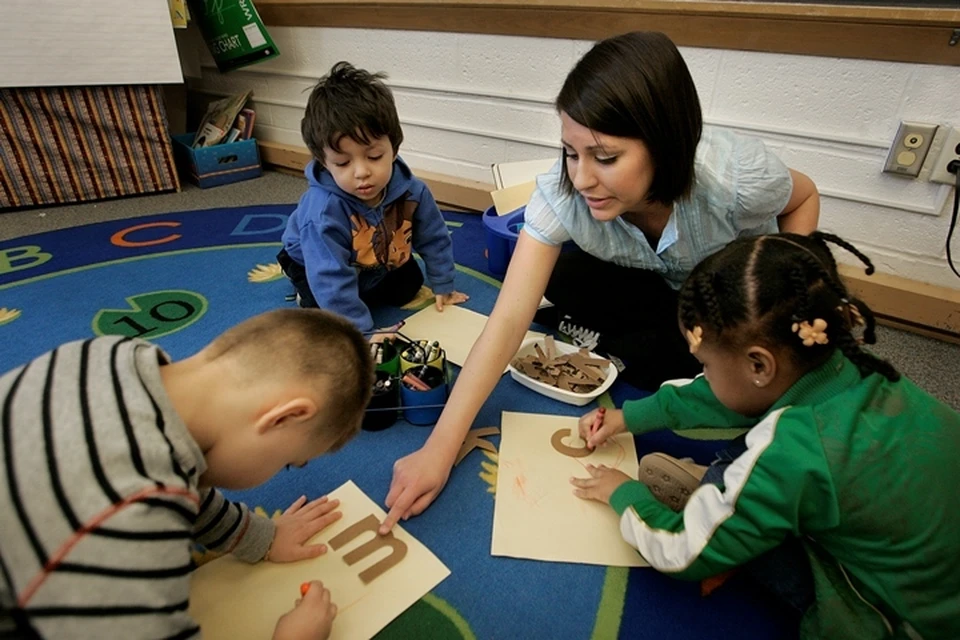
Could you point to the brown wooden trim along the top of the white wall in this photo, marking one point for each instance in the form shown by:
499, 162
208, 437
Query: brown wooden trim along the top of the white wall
877, 33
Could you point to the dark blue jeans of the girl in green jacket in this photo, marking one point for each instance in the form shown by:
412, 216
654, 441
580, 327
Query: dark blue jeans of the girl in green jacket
783, 571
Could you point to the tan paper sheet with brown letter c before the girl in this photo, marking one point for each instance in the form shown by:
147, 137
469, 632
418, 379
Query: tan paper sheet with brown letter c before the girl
536, 515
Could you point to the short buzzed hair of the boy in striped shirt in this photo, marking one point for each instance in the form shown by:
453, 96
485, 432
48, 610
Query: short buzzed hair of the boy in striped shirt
308, 344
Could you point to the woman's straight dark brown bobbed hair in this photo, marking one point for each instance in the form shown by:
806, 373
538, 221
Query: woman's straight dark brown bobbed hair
636, 85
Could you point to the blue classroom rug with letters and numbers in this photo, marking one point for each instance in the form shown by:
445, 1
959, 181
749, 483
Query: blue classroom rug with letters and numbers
180, 279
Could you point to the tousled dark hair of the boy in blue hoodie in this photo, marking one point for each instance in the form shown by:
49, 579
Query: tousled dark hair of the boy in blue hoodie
350, 102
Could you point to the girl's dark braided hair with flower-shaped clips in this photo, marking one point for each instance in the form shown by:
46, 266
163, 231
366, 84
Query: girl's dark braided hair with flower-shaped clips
755, 289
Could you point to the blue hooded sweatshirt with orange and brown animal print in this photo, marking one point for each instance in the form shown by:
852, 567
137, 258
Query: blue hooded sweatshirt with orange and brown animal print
347, 247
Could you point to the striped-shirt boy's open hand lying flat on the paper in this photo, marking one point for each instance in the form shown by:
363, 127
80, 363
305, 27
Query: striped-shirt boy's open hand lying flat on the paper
300, 522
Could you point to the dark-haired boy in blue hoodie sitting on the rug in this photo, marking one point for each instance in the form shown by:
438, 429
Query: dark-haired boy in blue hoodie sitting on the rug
349, 244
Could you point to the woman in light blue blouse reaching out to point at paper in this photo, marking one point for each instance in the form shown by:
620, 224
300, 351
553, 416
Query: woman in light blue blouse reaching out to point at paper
645, 199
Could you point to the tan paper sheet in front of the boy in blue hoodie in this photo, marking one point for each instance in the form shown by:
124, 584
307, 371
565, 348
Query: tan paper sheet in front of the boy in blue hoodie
455, 328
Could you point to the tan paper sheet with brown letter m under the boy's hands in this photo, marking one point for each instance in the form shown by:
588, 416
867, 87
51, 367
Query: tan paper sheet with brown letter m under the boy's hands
232, 599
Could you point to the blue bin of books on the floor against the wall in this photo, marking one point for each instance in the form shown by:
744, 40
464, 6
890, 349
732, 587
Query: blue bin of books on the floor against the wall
219, 164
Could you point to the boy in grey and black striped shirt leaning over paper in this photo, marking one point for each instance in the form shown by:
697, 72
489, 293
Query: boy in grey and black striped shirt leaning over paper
110, 459
